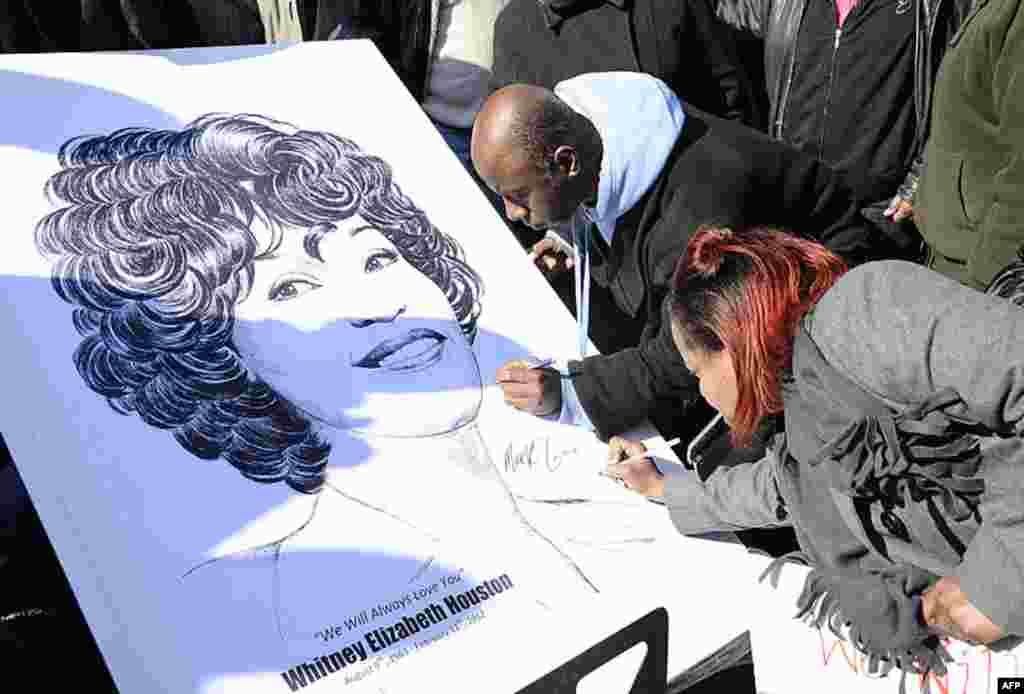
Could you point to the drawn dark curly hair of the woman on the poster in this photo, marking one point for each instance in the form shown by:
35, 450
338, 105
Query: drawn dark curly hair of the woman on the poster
154, 249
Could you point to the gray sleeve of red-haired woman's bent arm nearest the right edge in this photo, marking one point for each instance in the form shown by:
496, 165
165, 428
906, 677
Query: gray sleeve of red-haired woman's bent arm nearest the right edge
904, 333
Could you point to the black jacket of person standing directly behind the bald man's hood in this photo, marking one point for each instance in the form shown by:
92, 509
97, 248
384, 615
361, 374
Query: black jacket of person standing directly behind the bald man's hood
682, 44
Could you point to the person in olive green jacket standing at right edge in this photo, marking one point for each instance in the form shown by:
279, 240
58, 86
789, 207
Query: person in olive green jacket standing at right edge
971, 201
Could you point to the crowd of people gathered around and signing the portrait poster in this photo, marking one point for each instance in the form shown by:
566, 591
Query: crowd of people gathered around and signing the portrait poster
802, 216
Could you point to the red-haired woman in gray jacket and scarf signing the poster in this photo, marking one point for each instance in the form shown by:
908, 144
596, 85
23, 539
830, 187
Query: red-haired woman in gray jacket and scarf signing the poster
898, 402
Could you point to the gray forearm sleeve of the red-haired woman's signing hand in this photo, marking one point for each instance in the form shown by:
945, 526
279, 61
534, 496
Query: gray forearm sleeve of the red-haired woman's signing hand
733, 499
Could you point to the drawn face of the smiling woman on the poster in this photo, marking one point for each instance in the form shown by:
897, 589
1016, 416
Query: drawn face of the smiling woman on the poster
362, 341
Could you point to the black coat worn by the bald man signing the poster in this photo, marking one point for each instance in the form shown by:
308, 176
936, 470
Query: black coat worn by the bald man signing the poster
756, 181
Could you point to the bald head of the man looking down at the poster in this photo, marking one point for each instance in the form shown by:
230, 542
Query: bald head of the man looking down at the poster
538, 154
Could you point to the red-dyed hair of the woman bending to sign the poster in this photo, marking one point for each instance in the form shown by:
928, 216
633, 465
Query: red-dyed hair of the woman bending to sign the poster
745, 292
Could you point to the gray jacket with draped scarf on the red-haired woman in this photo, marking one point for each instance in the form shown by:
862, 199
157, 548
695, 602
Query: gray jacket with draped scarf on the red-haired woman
946, 366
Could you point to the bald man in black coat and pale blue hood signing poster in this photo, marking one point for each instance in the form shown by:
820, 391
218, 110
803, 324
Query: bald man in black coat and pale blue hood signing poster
626, 173
